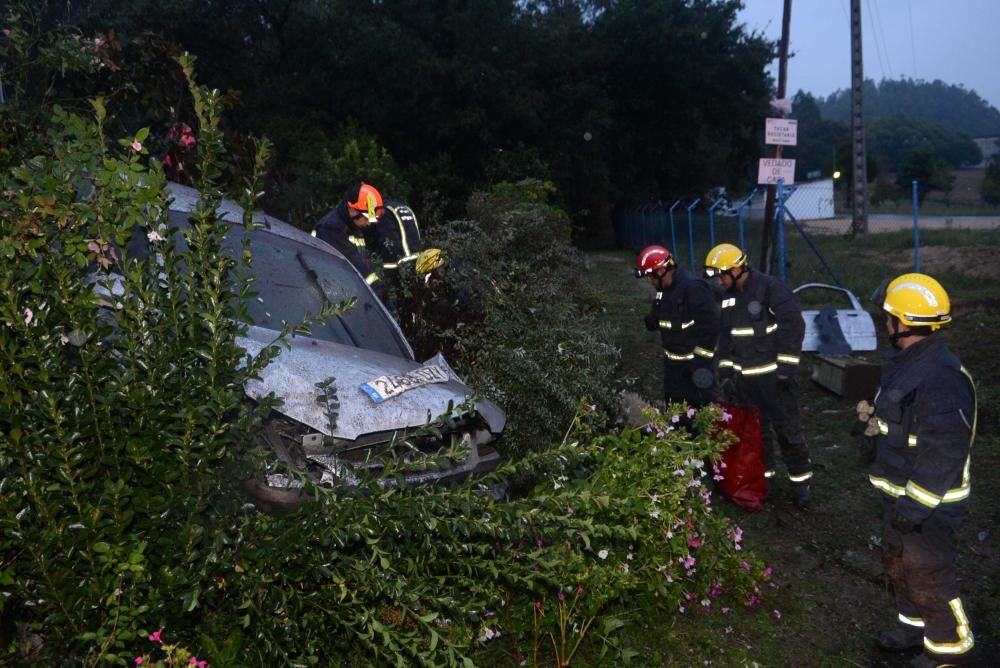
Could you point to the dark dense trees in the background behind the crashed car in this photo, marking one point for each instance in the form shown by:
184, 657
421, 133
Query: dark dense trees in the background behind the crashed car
612, 100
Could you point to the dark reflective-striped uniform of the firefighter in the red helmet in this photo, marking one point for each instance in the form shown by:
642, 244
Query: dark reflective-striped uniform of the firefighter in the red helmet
687, 317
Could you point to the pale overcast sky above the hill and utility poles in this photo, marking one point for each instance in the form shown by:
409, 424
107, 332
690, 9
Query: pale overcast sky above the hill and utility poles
956, 41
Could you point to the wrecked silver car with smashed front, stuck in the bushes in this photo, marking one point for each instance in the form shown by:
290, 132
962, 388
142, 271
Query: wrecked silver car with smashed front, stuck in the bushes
363, 358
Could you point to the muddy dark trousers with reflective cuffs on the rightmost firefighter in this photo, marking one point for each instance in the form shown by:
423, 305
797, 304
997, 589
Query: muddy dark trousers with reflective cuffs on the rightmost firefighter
921, 567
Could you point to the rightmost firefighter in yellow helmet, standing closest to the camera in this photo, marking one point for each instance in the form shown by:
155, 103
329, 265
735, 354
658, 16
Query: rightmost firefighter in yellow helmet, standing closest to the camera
925, 411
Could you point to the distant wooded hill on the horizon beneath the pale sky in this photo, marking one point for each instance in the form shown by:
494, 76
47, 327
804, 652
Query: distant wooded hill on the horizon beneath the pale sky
952, 107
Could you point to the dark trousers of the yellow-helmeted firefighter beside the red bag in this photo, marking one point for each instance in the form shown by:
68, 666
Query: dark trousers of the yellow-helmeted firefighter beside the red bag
778, 401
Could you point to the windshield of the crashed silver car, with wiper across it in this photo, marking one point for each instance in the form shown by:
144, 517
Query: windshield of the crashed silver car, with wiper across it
292, 280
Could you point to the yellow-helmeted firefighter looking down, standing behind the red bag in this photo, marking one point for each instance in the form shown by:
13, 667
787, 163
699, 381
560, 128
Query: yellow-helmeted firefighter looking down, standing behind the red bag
760, 340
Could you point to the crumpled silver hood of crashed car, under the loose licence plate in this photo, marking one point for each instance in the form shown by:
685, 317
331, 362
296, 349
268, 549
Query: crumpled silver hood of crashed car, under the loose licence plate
293, 376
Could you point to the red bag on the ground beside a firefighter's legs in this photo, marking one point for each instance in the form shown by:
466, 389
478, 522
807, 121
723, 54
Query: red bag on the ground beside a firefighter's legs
742, 465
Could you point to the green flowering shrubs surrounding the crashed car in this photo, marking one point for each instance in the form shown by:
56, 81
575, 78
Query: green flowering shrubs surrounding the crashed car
125, 435
